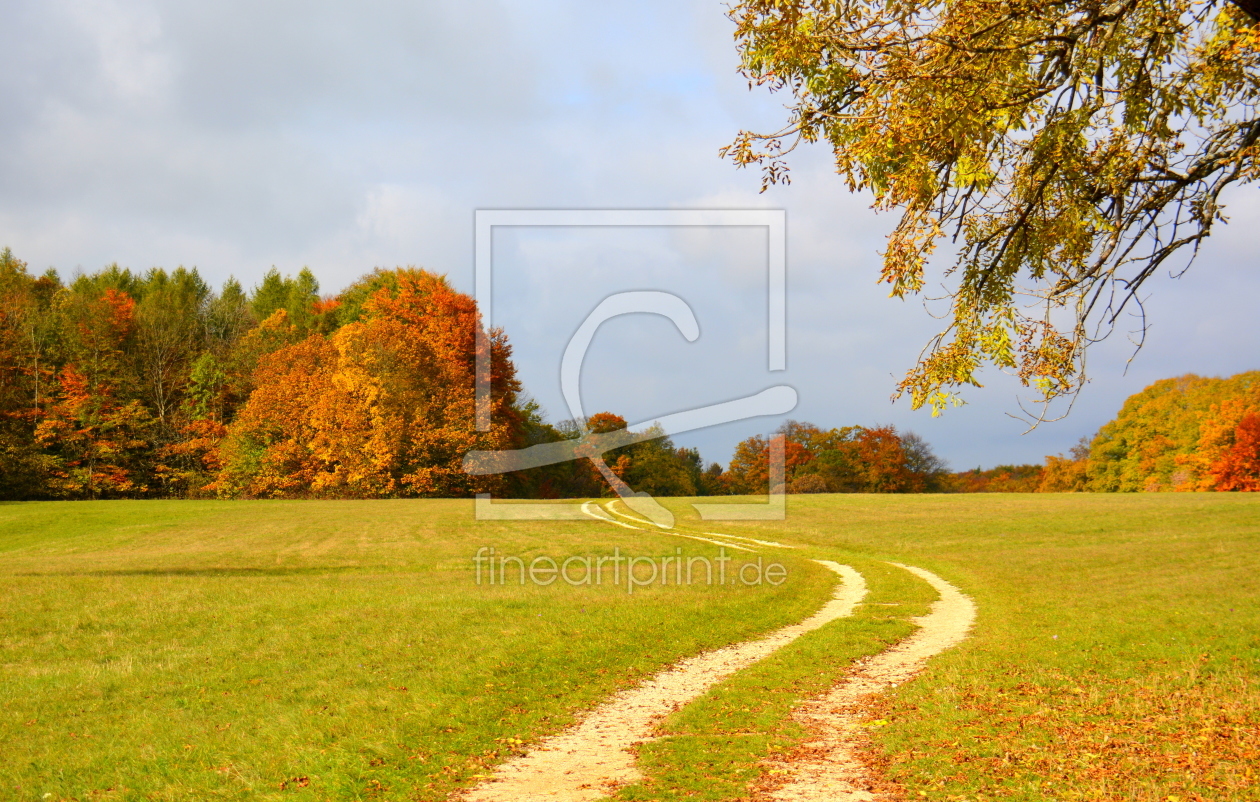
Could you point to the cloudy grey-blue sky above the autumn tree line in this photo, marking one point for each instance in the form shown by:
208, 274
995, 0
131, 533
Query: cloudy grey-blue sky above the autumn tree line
343, 137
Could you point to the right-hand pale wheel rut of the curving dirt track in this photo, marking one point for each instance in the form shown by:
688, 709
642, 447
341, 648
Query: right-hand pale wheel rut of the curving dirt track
827, 770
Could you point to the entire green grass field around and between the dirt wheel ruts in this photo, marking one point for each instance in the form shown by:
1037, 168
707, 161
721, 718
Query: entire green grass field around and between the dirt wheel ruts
206, 650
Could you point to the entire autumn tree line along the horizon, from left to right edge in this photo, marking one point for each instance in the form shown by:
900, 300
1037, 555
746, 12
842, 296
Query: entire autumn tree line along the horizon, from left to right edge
119, 385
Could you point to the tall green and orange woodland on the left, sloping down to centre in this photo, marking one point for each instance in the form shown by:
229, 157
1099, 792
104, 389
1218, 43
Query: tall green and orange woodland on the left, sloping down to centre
119, 385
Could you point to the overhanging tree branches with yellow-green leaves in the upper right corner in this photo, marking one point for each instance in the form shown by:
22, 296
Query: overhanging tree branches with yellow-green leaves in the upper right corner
1065, 150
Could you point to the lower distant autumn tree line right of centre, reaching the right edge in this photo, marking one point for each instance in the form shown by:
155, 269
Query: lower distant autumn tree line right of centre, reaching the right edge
1189, 434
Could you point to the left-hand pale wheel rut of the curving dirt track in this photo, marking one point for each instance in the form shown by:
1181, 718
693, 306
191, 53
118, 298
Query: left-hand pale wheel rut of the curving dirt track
590, 760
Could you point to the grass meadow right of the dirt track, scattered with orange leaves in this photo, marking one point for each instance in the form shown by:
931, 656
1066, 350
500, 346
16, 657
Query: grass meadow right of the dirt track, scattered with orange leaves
1116, 655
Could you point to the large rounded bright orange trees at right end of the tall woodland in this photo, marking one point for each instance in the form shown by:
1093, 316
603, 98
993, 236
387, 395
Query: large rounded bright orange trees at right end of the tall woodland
384, 407
